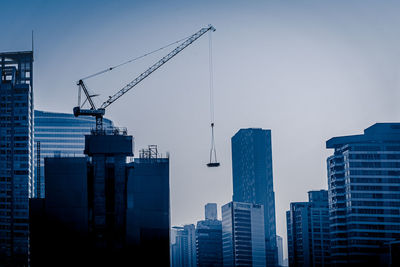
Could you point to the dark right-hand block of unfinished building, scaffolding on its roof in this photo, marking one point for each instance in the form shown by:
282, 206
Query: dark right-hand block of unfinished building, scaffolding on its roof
148, 208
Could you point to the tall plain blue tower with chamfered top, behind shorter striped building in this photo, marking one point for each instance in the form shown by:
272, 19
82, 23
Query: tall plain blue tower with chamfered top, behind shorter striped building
253, 181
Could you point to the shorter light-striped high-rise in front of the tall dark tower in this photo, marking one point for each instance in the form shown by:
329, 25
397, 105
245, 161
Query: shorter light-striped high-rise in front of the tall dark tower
243, 237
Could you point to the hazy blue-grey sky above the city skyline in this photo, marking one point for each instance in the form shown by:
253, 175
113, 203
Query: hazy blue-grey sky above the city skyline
307, 70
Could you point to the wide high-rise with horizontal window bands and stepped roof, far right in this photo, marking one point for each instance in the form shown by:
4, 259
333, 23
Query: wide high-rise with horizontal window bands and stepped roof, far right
364, 194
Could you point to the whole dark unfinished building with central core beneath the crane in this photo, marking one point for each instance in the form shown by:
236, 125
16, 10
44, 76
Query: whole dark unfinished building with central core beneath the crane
101, 211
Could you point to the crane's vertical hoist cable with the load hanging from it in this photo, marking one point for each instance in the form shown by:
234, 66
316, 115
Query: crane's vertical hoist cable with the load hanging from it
213, 152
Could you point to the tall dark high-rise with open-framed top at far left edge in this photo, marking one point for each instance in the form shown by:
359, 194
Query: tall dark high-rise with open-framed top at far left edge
16, 155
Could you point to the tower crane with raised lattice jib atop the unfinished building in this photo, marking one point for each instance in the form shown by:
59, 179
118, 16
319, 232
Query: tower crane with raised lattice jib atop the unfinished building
98, 113
